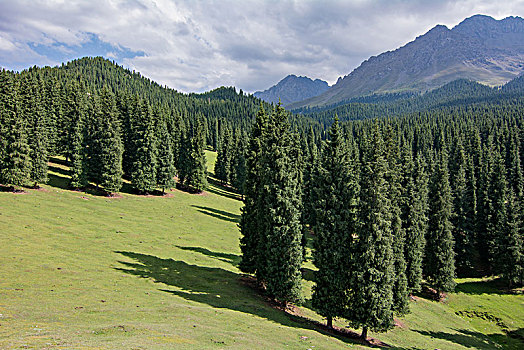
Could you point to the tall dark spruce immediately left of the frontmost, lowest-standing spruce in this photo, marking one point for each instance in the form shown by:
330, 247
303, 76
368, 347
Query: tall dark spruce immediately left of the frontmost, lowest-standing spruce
336, 189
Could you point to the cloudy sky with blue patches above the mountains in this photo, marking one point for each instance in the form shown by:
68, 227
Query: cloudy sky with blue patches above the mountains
198, 45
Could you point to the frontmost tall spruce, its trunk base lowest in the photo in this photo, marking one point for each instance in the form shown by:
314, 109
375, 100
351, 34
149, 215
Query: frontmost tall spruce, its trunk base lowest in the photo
372, 294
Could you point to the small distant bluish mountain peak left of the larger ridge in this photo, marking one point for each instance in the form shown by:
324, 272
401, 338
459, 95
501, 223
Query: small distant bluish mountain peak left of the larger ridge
292, 89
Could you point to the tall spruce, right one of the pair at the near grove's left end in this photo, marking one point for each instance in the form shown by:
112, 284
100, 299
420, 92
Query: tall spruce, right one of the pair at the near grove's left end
281, 211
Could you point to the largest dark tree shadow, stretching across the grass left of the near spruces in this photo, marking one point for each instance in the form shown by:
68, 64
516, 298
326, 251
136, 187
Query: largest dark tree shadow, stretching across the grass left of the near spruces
217, 288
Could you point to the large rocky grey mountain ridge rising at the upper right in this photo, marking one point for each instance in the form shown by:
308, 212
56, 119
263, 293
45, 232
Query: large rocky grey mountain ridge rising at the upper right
480, 48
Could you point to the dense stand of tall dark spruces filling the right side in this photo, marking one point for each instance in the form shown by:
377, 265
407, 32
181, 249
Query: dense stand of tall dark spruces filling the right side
392, 204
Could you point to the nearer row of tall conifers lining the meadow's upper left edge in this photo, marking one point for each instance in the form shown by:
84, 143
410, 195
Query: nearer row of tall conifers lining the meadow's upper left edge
102, 136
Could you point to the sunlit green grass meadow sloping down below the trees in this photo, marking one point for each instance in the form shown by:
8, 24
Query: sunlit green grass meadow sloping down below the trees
80, 271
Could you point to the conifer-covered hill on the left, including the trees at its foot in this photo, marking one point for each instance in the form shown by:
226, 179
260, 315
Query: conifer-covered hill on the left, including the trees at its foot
110, 123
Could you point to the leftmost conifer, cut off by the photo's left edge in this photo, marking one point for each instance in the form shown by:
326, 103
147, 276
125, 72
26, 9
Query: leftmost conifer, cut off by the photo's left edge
14, 165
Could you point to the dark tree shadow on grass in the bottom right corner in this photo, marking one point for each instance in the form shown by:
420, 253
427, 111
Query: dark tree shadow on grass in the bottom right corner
470, 339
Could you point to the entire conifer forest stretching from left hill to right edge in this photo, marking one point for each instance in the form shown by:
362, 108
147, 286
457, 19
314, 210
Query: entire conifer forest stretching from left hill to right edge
399, 194
